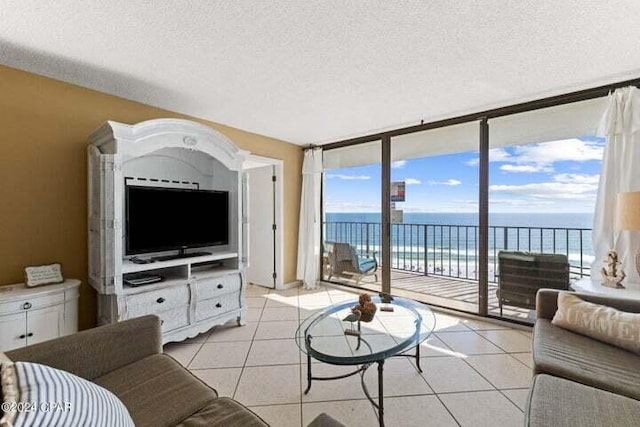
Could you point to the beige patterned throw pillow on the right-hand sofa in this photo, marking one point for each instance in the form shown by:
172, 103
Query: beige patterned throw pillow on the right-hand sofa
597, 321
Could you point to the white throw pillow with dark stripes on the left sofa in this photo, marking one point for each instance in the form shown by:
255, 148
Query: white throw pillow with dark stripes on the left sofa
50, 397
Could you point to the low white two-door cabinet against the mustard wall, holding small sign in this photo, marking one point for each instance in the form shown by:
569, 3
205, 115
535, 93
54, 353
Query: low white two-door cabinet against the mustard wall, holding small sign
32, 315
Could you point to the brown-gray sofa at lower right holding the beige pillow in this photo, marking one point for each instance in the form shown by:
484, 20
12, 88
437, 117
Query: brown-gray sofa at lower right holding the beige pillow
579, 380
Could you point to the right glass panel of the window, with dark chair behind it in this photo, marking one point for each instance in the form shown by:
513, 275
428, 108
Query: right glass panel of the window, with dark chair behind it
544, 168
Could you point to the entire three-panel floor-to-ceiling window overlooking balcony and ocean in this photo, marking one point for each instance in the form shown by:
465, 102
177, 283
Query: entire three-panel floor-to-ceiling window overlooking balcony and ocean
455, 194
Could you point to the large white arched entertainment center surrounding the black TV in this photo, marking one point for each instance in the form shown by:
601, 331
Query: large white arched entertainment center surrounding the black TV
195, 292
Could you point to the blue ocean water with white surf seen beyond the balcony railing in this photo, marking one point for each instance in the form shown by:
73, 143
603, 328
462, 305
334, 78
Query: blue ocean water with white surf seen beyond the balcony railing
446, 243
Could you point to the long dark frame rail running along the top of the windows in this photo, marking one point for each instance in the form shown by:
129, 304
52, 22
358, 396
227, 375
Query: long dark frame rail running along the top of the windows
551, 101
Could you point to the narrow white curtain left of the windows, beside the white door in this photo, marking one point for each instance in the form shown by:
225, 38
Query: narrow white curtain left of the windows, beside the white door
309, 232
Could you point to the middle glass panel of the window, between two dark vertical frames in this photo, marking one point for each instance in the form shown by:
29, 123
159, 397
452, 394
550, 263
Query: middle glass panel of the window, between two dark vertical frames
434, 230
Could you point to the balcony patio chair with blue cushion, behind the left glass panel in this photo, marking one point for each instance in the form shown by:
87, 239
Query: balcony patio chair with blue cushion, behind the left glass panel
345, 261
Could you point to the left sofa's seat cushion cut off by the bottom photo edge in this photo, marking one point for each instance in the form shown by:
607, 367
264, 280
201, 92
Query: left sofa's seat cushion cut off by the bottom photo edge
223, 412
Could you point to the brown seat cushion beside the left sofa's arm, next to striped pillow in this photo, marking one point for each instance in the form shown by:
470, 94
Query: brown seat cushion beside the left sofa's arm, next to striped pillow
158, 391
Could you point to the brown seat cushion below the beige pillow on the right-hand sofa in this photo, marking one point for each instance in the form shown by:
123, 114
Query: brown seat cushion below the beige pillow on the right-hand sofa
563, 353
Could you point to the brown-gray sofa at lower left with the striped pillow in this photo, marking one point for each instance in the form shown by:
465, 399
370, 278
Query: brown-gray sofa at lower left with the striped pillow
127, 359
